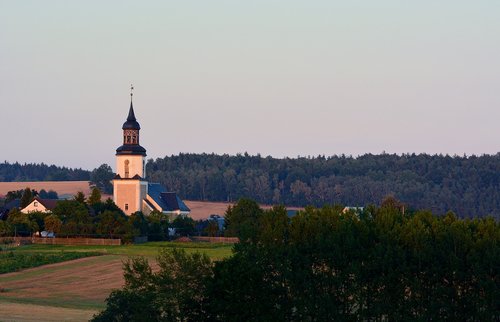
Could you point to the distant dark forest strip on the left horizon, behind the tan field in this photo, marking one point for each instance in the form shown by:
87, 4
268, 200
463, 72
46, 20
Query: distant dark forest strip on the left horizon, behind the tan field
40, 172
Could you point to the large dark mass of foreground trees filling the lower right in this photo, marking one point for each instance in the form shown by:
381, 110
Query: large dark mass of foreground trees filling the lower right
325, 264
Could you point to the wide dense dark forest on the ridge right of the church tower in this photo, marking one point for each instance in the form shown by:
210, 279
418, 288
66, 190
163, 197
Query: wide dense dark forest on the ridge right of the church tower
467, 185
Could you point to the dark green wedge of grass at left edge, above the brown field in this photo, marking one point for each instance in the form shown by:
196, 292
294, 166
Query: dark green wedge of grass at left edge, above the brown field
13, 261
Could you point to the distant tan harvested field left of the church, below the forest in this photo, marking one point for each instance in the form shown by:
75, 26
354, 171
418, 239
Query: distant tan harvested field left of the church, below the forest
61, 187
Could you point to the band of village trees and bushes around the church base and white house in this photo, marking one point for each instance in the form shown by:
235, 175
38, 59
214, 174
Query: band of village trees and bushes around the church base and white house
91, 217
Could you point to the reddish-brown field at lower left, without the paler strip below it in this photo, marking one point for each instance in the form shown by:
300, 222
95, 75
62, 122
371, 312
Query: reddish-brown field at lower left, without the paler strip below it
83, 283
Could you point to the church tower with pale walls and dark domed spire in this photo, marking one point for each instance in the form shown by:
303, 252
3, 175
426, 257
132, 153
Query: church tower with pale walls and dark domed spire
130, 187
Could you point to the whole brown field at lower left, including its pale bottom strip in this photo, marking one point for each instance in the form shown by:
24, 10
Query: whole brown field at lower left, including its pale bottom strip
77, 288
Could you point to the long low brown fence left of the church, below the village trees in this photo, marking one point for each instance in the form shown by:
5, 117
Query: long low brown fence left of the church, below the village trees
63, 241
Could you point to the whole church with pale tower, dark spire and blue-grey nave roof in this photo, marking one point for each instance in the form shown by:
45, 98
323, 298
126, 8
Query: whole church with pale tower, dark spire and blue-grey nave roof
131, 191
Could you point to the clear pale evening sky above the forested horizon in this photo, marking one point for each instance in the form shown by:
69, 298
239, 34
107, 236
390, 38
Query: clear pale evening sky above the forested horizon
279, 78
